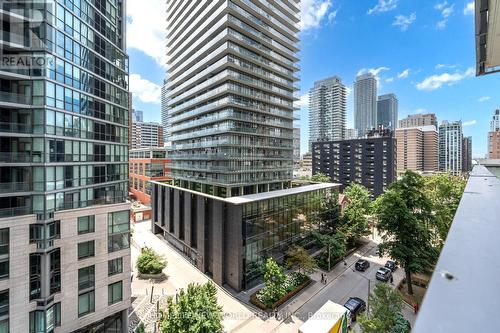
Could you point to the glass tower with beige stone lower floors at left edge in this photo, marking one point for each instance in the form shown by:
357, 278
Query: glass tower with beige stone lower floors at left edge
64, 223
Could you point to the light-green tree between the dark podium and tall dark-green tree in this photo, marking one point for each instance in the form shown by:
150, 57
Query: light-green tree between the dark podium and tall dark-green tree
354, 219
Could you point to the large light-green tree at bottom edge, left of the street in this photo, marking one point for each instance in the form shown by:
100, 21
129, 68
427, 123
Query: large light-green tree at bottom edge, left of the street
195, 311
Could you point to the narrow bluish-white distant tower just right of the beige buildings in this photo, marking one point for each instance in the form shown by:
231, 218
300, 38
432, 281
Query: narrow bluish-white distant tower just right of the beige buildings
450, 147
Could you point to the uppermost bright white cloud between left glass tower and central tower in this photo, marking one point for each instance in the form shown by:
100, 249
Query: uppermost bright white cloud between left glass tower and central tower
146, 28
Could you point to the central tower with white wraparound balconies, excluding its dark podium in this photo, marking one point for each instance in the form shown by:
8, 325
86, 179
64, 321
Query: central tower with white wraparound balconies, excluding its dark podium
230, 93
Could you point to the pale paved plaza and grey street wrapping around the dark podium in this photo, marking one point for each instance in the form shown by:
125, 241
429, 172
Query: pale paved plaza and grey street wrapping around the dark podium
241, 317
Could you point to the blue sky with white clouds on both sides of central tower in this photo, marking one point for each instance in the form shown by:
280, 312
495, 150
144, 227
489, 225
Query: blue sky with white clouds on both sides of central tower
423, 51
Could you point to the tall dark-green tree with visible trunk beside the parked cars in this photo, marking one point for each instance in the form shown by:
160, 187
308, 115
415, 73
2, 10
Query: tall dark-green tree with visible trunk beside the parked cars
404, 215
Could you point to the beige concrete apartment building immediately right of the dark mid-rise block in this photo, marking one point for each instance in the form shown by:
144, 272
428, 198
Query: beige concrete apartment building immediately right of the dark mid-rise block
417, 149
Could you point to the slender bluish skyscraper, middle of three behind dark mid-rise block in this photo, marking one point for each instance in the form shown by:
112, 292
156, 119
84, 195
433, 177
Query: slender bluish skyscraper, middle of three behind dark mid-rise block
365, 103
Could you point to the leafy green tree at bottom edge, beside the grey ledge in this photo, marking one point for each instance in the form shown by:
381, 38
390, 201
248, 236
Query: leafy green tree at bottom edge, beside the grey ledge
385, 307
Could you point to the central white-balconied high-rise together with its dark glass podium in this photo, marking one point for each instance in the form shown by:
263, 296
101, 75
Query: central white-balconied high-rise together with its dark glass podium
230, 90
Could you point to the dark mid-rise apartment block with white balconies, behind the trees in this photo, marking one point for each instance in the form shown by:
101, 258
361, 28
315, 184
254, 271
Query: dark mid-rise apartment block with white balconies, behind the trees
369, 161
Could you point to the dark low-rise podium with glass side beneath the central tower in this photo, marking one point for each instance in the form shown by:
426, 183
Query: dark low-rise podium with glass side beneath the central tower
229, 238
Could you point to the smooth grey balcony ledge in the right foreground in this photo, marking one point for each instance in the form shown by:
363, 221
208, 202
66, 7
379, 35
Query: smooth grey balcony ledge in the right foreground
462, 295
